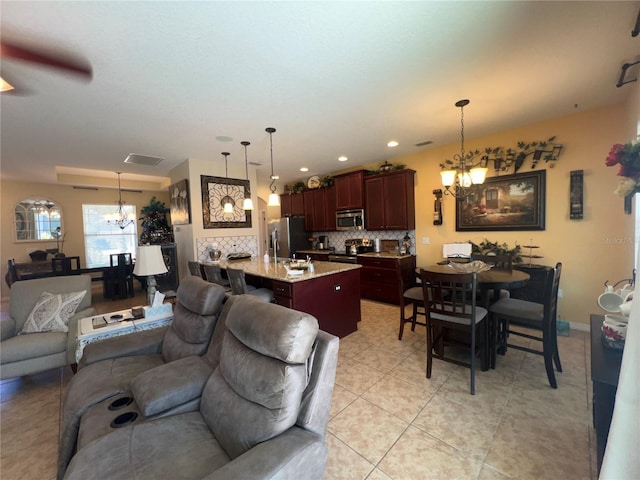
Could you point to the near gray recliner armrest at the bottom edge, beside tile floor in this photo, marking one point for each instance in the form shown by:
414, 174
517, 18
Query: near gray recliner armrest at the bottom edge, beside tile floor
296, 453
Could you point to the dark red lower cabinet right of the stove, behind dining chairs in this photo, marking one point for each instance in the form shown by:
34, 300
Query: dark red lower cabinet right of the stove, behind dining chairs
379, 277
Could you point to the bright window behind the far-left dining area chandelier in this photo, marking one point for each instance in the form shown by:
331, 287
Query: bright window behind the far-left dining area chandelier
101, 239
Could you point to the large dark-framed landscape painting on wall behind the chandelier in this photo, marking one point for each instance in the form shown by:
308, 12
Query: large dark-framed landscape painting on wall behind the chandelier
509, 202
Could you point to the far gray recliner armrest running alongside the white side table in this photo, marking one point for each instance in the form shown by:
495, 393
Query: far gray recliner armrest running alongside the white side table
146, 342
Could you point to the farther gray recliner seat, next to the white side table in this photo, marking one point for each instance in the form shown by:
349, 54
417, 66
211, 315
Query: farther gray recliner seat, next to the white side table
107, 368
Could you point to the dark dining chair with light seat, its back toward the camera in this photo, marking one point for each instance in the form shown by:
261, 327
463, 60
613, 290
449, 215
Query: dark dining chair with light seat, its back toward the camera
451, 308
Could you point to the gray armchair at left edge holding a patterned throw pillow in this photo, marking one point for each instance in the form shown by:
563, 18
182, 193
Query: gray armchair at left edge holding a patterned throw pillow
37, 352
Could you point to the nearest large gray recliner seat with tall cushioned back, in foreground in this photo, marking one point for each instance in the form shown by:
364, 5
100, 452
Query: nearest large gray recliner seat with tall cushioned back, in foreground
263, 412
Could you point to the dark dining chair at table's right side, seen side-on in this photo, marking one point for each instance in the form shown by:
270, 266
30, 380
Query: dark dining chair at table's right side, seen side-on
508, 312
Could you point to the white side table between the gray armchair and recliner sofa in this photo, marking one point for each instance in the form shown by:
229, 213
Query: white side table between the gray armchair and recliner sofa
89, 333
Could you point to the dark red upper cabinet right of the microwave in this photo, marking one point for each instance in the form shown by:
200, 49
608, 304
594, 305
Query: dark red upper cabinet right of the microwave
390, 201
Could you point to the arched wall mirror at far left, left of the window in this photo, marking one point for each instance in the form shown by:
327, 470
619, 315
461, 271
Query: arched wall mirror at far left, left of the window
37, 219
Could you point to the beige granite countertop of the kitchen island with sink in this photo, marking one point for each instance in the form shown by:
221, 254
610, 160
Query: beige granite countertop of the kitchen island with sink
277, 271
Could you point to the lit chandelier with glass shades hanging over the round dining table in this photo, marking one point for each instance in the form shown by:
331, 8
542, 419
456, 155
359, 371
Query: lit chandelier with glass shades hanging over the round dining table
457, 180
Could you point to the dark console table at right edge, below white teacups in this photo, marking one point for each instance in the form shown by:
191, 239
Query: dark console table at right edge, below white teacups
605, 370
